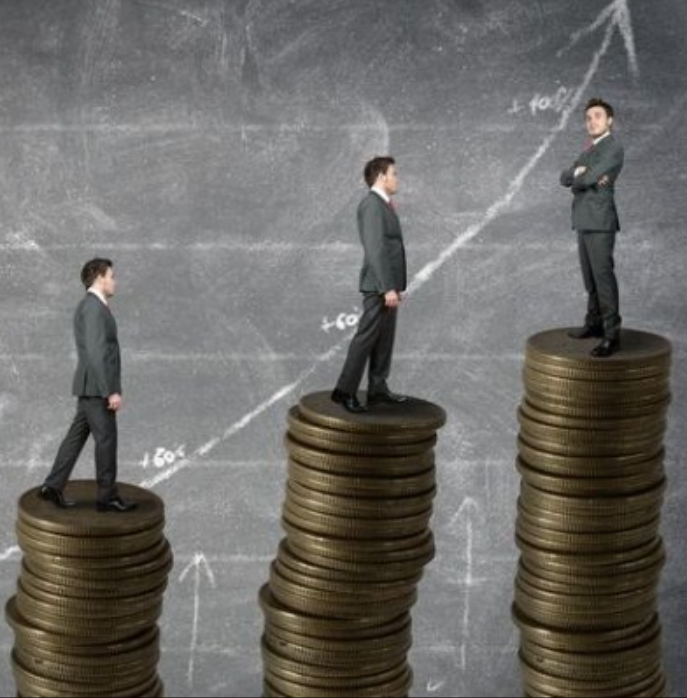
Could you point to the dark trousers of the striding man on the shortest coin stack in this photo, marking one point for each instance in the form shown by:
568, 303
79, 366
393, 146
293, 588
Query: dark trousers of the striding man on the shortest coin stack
92, 417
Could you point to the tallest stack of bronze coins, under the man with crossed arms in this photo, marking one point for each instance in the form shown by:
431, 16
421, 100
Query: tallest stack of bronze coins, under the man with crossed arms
591, 456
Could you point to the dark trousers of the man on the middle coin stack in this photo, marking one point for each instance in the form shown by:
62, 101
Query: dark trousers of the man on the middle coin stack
373, 343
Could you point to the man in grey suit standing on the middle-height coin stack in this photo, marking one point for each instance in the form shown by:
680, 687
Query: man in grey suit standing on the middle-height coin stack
382, 280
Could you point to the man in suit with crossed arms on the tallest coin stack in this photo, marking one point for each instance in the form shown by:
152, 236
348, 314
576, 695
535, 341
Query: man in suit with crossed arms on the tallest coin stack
592, 179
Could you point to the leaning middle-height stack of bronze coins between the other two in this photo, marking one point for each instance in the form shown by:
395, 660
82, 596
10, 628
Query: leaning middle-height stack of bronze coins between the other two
358, 504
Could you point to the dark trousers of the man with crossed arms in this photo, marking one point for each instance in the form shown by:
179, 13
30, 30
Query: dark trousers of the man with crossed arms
598, 272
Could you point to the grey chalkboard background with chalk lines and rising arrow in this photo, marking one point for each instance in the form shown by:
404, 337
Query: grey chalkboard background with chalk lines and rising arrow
213, 150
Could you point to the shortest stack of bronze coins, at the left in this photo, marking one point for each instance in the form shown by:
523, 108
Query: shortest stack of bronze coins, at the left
89, 596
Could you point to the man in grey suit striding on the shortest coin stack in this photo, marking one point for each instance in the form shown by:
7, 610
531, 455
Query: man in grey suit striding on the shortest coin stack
97, 385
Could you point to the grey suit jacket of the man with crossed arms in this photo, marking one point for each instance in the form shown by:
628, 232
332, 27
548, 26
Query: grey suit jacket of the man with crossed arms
594, 204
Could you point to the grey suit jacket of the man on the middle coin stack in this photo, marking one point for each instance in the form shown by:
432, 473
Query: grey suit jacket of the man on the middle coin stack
384, 265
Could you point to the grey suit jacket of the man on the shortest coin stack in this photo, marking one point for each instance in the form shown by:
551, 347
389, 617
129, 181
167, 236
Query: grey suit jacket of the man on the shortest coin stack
98, 373
